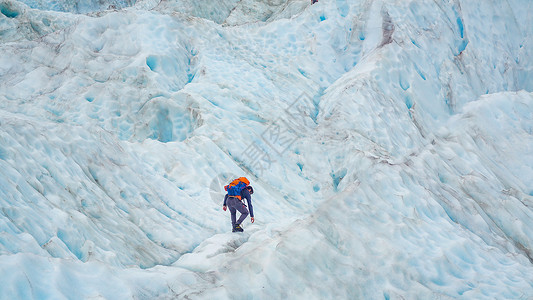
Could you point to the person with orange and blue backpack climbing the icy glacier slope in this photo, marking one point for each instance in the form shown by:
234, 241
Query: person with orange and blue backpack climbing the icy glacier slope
237, 190
